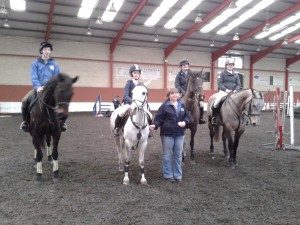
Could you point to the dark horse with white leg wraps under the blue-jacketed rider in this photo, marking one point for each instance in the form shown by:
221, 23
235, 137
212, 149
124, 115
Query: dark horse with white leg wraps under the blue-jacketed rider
50, 107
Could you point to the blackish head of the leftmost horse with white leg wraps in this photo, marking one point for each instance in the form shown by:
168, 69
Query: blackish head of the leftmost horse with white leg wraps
63, 94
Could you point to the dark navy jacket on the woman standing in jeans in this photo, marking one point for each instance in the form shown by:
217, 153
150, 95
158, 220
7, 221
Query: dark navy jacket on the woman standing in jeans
167, 119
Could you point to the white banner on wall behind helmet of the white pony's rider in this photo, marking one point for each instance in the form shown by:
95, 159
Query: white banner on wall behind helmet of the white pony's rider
147, 73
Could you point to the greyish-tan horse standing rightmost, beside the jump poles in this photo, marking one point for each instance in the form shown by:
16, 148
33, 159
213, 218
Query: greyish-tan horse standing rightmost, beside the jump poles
237, 106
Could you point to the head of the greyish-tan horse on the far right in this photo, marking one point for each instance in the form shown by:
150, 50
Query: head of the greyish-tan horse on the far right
255, 106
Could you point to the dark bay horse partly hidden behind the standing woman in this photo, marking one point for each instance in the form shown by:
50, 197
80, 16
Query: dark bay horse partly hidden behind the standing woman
194, 89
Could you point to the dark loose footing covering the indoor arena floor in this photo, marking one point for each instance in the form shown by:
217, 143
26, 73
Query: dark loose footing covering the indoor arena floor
263, 189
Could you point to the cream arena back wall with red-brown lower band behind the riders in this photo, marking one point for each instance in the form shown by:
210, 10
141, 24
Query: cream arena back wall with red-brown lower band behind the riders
91, 62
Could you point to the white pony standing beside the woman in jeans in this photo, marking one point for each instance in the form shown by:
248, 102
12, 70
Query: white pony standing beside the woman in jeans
135, 133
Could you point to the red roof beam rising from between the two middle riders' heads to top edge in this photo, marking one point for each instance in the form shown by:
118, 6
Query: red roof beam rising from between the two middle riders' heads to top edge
170, 49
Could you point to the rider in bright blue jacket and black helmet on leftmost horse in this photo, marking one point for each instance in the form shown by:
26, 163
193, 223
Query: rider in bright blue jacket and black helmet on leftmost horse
41, 70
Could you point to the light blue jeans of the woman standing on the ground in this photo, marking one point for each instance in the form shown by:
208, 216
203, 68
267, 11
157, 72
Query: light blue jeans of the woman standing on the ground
172, 148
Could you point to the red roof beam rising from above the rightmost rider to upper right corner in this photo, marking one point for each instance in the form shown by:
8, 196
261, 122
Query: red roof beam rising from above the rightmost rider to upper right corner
217, 54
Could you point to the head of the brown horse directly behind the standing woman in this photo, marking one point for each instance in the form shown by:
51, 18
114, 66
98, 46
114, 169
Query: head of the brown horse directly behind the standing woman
194, 85
